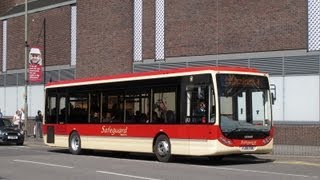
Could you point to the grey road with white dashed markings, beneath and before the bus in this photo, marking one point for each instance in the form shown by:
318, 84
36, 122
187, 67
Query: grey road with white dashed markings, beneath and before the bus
35, 161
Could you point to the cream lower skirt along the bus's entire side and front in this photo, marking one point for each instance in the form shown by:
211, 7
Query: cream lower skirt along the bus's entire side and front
178, 146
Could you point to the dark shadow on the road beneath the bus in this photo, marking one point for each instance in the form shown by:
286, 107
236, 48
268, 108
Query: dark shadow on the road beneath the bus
227, 160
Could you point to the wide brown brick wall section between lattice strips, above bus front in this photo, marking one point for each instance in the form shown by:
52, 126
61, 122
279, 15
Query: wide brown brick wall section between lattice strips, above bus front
203, 27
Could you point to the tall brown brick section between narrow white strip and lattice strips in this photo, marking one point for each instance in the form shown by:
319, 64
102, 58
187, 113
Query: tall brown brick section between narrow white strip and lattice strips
105, 37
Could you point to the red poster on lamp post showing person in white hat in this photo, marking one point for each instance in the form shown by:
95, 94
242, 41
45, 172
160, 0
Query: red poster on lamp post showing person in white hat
35, 65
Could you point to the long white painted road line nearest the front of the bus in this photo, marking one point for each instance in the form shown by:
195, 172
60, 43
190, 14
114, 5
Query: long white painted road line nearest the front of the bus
259, 172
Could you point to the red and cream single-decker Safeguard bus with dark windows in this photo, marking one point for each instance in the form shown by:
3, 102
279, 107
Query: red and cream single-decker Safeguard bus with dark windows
201, 111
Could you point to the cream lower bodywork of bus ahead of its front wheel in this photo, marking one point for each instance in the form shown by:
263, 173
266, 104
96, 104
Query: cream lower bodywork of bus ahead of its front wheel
214, 147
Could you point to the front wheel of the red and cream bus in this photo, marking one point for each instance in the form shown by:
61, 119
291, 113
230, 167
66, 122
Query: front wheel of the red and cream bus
162, 148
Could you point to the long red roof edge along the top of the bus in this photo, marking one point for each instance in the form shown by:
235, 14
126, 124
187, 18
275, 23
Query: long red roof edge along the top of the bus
92, 80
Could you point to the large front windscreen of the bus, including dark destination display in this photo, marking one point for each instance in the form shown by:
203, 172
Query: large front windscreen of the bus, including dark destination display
245, 106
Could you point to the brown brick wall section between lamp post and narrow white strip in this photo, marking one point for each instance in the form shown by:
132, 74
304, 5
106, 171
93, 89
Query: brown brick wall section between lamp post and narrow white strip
58, 30
